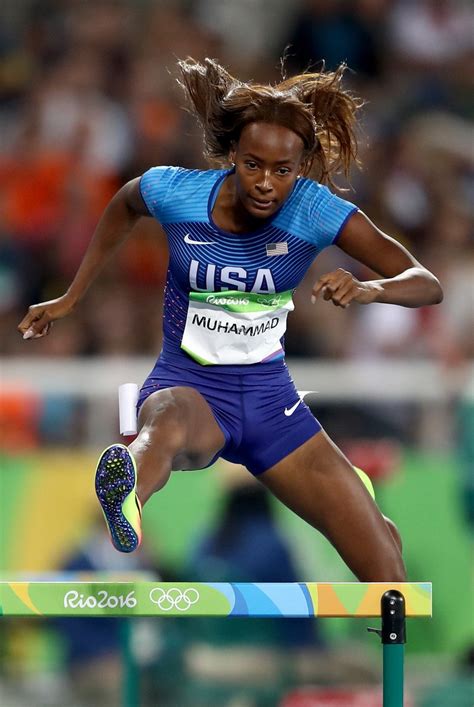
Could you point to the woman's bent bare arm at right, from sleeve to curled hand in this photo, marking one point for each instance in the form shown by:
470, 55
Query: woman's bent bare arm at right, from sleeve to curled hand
404, 280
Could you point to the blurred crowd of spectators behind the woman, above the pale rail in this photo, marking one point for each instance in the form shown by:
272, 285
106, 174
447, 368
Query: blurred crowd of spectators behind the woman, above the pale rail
89, 100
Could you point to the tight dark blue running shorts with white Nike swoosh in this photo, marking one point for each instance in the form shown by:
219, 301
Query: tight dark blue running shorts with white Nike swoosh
259, 412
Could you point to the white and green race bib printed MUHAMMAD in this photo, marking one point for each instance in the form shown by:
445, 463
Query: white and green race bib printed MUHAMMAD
234, 328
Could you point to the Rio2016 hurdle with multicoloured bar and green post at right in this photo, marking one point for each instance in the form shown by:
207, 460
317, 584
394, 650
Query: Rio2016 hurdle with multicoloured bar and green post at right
392, 602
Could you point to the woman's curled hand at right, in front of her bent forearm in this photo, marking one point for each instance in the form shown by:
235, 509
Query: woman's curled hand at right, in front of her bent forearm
341, 288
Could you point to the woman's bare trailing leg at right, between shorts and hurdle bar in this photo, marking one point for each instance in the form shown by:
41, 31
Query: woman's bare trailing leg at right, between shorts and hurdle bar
317, 482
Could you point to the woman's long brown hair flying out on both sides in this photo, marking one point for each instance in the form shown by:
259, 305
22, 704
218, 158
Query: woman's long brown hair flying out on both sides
313, 105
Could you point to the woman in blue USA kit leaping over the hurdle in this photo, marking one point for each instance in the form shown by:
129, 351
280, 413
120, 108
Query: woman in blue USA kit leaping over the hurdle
241, 238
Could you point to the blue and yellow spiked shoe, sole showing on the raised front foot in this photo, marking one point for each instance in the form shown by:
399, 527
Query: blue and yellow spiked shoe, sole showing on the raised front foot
115, 485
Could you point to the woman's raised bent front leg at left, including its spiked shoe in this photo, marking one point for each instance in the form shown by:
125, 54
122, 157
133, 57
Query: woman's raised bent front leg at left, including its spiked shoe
178, 430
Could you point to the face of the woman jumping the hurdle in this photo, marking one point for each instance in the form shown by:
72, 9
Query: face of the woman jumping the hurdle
268, 158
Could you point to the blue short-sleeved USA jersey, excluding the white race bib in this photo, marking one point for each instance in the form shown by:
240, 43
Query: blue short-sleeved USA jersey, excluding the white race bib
204, 258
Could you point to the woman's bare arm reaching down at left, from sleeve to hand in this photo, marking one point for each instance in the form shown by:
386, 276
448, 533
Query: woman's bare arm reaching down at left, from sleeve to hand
113, 229
